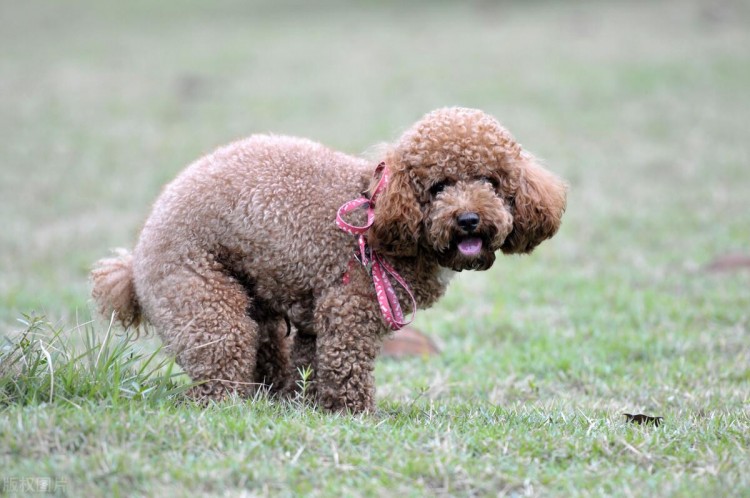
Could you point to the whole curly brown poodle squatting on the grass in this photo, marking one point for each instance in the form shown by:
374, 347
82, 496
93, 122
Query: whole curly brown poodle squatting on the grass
246, 243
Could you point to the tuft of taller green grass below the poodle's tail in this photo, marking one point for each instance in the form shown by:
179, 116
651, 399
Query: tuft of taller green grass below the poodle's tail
41, 366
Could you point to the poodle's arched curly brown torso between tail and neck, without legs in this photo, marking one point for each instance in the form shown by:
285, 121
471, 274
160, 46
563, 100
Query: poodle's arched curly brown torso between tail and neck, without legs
263, 207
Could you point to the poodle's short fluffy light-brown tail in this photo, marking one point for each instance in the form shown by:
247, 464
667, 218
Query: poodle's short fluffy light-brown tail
113, 289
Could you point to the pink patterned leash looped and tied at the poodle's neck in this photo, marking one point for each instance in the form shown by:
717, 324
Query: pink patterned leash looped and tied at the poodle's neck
376, 265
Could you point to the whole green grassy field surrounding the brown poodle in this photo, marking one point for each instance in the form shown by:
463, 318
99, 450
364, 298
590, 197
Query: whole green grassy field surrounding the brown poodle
642, 107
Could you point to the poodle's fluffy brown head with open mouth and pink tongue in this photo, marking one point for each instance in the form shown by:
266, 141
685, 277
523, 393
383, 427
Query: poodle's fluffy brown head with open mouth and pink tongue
460, 189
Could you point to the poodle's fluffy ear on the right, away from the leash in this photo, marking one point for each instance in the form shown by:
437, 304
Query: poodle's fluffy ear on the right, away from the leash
538, 206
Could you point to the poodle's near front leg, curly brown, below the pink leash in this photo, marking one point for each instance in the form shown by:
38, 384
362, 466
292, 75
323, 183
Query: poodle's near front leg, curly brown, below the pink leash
350, 333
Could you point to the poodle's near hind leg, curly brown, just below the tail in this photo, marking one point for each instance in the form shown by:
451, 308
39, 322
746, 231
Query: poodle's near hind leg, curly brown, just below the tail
201, 315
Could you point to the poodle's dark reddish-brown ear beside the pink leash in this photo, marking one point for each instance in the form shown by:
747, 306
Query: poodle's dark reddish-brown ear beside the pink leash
398, 217
